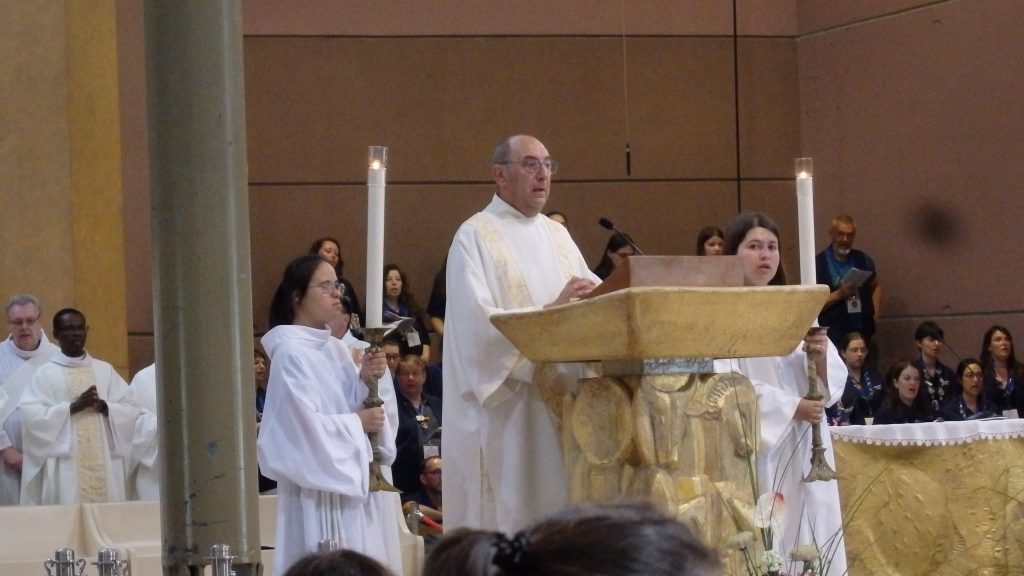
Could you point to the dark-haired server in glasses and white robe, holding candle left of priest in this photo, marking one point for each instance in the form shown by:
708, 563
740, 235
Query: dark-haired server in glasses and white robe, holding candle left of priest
314, 436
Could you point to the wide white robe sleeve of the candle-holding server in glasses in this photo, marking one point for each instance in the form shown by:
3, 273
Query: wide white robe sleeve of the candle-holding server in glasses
301, 441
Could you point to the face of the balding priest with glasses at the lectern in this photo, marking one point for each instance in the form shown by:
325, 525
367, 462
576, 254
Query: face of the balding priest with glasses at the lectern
522, 189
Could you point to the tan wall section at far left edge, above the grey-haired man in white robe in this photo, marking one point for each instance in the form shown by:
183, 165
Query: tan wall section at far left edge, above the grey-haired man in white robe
34, 156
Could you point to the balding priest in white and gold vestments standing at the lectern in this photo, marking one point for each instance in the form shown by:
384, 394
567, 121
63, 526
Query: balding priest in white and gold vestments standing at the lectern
502, 455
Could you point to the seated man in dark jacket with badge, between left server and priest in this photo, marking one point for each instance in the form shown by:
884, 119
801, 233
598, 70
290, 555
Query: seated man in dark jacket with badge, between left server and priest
419, 423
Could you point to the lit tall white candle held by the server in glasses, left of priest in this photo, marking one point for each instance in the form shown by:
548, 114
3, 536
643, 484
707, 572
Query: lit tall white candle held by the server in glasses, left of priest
376, 182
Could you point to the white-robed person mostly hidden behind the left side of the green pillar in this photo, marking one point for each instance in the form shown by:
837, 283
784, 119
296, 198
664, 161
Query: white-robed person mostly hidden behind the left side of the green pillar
144, 467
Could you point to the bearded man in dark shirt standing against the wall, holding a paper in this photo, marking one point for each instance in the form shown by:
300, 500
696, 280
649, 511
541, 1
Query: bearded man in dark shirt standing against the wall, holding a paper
850, 308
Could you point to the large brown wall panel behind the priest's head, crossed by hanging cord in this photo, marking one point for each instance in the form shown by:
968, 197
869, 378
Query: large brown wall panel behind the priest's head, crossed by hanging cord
315, 105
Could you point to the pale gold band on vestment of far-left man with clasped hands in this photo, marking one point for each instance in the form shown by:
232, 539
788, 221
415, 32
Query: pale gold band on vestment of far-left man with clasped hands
91, 458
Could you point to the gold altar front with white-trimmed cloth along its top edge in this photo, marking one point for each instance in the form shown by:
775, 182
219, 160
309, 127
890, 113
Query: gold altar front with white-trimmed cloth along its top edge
944, 499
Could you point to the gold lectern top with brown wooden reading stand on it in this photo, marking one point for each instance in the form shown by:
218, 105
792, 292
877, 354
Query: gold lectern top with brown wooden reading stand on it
629, 321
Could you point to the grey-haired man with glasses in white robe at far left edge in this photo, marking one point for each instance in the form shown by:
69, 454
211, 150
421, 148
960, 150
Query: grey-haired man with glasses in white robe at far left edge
26, 350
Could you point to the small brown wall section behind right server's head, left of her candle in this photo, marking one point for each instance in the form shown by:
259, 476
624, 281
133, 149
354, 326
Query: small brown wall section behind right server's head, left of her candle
779, 201
